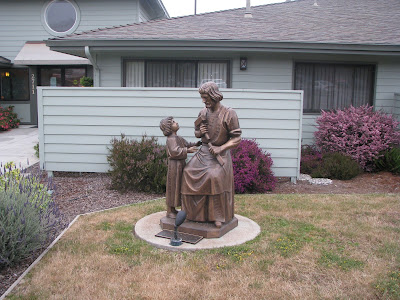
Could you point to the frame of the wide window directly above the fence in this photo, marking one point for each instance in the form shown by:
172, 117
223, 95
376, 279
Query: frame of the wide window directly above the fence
196, 61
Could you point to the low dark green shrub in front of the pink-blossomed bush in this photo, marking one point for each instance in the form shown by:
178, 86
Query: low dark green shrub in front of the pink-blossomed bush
336, 166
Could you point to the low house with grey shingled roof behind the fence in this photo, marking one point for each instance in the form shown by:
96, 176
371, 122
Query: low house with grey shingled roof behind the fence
340, 52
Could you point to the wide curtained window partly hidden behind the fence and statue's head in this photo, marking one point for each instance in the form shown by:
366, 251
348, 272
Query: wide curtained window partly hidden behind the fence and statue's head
163, 73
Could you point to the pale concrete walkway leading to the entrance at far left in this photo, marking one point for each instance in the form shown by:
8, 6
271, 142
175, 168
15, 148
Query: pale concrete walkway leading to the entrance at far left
17, 145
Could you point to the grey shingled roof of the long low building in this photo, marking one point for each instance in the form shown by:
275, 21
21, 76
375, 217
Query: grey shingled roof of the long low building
366, 22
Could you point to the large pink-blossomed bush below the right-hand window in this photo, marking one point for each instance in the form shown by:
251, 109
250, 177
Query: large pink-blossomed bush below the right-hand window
359, 132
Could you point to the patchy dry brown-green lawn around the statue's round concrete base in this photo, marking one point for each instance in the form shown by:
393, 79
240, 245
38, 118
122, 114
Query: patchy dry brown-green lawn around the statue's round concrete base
310, 247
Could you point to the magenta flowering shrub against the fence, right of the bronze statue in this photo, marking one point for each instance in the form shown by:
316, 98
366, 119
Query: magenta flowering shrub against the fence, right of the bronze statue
252, 168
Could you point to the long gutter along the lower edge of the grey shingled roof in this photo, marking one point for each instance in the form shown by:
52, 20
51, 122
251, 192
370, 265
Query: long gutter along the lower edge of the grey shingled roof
74, 46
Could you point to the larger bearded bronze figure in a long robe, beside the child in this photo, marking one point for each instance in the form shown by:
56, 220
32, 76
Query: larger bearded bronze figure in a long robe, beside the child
207, 180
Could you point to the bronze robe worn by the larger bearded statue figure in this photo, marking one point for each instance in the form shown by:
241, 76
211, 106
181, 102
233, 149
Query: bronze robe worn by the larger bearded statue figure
207, 186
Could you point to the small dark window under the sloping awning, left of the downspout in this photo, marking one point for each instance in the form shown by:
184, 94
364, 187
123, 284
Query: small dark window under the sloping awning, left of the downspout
61, 76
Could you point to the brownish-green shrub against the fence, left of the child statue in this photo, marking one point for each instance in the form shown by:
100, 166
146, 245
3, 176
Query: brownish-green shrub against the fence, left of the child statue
138, 165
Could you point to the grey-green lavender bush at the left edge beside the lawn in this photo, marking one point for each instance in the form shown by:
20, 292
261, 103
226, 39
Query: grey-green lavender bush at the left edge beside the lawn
29, 218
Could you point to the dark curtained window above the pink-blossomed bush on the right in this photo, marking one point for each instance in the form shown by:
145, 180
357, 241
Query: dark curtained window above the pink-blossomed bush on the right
334, 86
